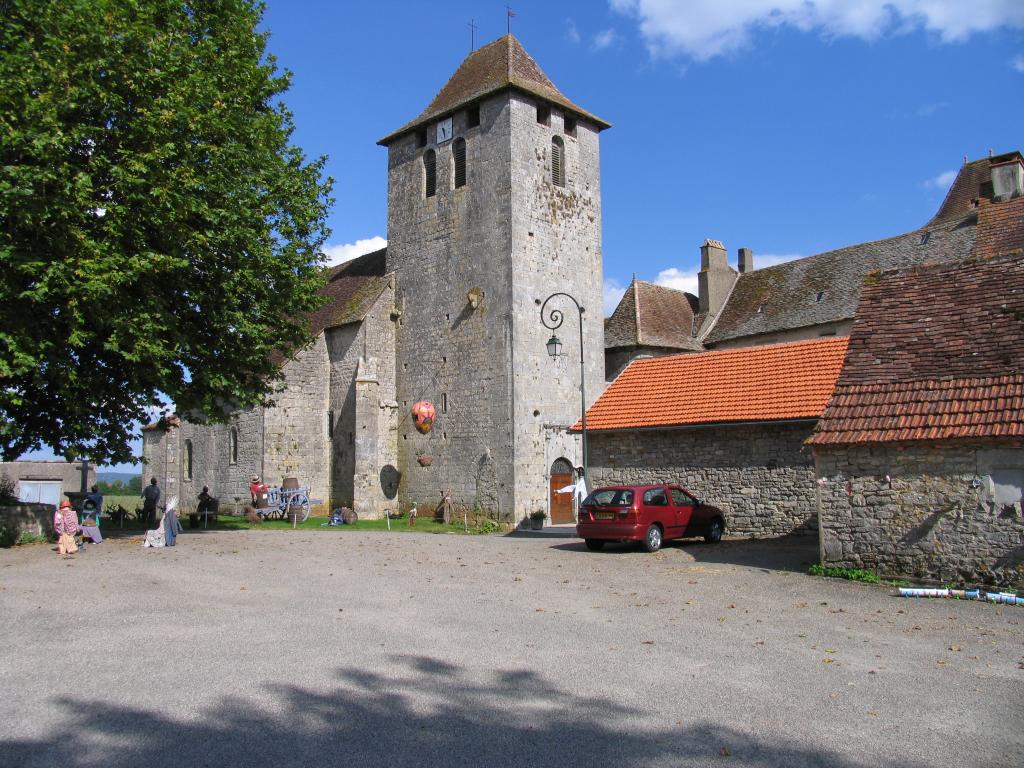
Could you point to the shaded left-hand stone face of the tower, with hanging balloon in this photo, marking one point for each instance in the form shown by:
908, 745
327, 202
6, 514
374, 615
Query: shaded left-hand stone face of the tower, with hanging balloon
451, 353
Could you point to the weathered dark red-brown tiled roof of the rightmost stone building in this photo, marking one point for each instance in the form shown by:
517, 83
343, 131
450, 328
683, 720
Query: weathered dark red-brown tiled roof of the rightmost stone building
935, 354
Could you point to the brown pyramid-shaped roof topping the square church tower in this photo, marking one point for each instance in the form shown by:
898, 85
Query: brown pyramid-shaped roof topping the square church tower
503, 64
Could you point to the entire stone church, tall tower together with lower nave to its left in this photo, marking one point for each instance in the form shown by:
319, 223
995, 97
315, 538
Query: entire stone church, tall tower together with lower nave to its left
494, 204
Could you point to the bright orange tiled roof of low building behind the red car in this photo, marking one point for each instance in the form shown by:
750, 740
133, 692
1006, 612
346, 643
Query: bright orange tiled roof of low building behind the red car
767, 383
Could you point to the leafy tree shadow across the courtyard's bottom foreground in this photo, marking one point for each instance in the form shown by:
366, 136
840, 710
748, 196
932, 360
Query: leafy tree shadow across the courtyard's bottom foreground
424, 712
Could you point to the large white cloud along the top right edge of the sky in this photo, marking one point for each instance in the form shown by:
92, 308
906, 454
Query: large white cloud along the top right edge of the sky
704, 29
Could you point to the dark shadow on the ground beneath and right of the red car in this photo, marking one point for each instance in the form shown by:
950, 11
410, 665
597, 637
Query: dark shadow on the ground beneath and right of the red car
791, 553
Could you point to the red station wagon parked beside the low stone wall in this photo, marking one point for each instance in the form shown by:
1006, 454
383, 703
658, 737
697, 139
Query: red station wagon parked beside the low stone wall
650, 515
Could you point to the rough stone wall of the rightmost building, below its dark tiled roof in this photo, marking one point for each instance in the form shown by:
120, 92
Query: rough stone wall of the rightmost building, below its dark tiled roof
938, 514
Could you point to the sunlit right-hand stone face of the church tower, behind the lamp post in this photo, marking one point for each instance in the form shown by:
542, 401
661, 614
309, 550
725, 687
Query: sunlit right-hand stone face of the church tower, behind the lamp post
557, 247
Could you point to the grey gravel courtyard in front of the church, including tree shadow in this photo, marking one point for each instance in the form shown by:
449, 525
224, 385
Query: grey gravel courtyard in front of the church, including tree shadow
274, 649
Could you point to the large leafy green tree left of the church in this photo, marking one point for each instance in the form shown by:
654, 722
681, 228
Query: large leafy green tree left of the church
159, 235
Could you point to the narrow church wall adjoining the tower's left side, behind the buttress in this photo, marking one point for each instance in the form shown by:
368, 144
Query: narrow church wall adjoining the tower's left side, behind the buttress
372, 340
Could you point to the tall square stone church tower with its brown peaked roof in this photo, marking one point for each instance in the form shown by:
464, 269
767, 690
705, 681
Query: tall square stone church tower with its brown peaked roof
494, 204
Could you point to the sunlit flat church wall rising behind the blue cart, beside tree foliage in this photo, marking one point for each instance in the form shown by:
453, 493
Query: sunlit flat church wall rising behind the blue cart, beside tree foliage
295, 431
